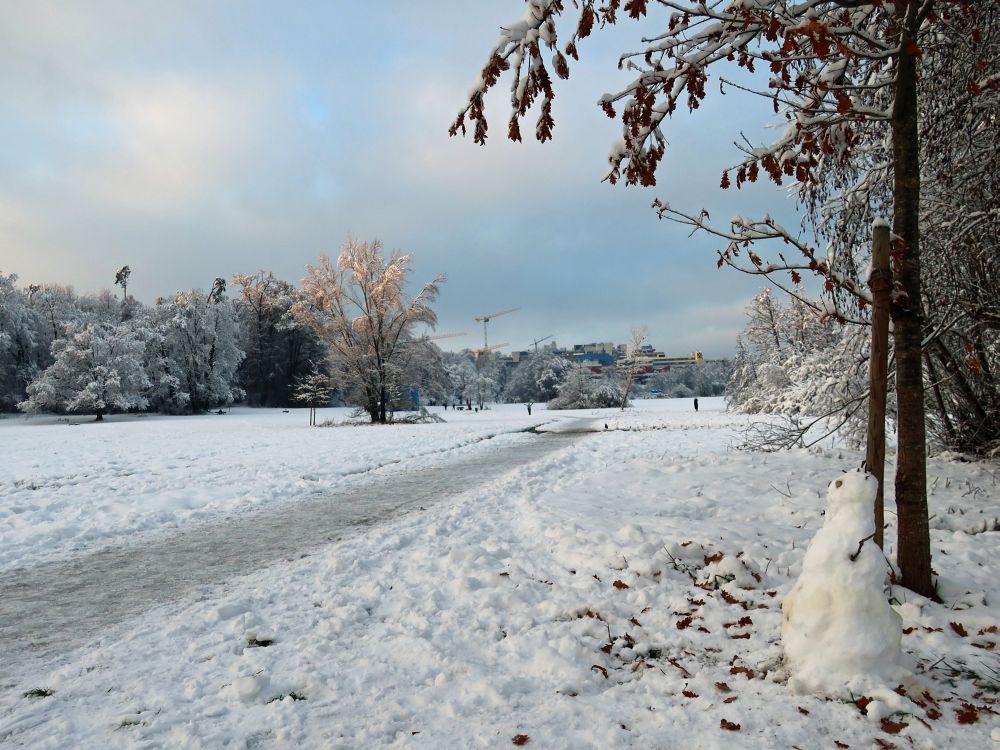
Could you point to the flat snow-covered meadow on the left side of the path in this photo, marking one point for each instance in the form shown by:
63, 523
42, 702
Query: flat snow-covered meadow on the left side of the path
68, 485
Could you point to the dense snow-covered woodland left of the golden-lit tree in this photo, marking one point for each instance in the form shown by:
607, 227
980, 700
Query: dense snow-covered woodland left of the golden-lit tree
65, 352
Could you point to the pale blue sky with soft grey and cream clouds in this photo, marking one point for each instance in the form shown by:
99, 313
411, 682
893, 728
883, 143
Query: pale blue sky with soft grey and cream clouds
198, 139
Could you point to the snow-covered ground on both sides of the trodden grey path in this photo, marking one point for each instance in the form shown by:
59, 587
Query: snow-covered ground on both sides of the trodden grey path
622, 591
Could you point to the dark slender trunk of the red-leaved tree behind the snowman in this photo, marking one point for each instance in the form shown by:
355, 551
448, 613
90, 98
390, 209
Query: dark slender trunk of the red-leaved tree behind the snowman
913, 551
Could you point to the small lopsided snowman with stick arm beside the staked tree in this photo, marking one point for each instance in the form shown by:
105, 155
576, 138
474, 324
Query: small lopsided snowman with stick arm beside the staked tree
841, 636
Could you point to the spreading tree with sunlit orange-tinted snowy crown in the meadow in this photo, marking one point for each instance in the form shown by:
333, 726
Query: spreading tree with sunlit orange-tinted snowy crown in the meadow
360, 308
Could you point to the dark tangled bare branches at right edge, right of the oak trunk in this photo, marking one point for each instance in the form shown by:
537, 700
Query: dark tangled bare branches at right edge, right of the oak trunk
960, 147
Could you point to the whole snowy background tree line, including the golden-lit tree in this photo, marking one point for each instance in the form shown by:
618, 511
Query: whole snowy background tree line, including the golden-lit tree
346, 336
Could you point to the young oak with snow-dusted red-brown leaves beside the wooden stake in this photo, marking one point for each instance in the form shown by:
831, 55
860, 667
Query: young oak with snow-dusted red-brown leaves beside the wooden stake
844, 75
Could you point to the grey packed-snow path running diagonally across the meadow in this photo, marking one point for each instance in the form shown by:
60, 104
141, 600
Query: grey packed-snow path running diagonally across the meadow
51, 608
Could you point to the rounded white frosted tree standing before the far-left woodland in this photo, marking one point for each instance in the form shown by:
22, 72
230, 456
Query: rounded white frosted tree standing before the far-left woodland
98, 368
